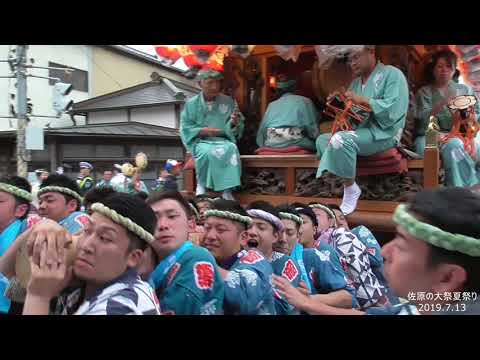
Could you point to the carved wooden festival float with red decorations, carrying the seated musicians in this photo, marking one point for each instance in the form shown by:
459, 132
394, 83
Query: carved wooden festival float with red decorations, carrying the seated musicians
386, 179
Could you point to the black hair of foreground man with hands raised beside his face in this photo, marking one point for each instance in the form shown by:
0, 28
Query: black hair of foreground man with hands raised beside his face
135, 209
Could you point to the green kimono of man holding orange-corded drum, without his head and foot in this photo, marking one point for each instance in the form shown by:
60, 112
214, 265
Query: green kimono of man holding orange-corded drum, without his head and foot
387, 91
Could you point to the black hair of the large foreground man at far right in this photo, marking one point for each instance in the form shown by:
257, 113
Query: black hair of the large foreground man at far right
457, 211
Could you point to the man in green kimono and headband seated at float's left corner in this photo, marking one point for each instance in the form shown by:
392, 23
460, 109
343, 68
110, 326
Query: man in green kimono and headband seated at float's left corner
210, 126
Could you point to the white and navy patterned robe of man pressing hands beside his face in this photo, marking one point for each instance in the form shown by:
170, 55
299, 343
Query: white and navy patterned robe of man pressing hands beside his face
127, 295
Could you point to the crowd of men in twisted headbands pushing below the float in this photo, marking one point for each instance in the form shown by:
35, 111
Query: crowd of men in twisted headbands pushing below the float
112, 252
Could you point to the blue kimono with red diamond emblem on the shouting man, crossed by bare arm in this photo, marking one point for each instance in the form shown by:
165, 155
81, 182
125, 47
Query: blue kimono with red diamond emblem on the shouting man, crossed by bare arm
283, 265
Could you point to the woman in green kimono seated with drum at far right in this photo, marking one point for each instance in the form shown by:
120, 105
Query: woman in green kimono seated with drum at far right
432, 99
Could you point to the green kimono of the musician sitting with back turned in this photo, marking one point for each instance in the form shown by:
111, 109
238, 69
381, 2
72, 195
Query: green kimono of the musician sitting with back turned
289, 121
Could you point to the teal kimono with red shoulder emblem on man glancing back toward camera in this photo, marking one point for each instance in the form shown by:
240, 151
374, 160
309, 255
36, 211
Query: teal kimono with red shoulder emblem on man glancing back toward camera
190, 283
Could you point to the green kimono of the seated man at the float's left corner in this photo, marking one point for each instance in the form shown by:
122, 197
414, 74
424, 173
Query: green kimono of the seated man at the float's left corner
217, 160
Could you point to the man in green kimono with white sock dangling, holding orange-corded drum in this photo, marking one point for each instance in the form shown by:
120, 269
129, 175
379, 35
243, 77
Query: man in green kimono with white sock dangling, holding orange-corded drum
384, 90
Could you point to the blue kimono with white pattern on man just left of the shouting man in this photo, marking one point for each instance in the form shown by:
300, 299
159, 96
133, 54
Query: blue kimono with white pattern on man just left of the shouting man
248, 285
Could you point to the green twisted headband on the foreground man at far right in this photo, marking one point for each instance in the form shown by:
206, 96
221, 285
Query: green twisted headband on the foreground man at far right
435, 236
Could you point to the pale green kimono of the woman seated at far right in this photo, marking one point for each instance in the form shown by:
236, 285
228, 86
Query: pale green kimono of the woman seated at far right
460, 168
